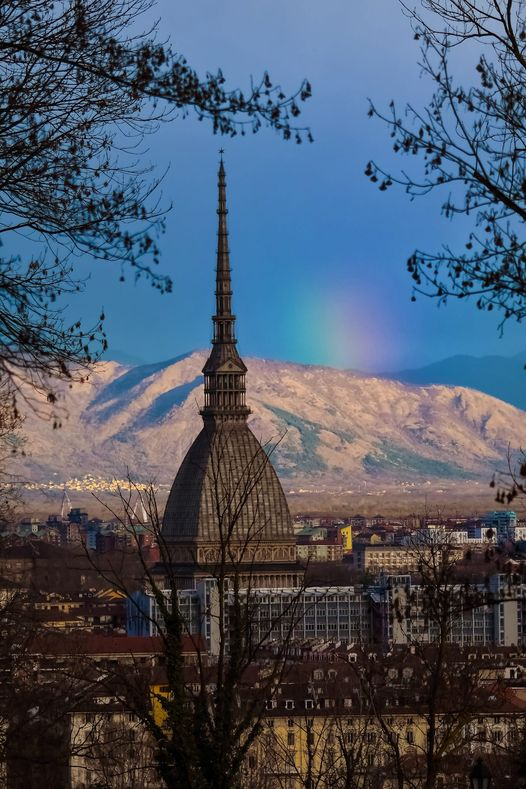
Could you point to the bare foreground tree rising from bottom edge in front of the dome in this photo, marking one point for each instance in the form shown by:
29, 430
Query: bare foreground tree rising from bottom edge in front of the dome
205, 718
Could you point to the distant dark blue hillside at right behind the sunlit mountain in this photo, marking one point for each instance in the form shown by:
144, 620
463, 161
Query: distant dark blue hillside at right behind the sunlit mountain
499, 376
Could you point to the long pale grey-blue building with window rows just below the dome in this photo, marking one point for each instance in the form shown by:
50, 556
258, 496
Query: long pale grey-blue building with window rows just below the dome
393, 610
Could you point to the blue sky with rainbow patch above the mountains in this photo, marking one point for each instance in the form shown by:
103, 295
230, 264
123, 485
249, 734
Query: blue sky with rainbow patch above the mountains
318, 253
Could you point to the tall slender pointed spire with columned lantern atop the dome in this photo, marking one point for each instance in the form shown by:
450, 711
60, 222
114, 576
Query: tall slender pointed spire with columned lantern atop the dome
224, 371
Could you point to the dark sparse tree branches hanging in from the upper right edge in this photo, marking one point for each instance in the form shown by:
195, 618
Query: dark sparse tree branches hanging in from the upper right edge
469, 144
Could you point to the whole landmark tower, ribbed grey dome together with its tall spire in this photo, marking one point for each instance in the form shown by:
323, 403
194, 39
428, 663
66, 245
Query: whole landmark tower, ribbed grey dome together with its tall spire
226, 499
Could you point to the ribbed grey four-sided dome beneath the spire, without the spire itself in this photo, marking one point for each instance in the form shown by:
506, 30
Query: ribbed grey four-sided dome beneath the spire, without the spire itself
226, 487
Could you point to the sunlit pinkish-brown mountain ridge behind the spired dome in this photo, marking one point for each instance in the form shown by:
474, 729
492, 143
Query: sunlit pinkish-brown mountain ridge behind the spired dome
336, 427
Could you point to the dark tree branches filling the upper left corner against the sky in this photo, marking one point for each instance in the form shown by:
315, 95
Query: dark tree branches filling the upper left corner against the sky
81, 87
